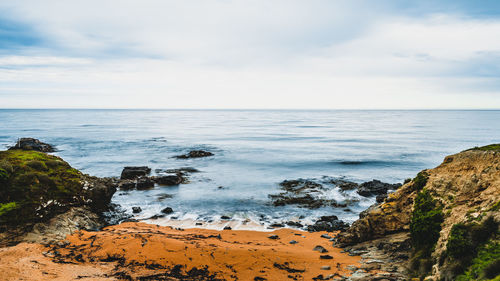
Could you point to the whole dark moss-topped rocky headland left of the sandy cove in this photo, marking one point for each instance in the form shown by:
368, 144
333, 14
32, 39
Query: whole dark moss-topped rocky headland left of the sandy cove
43, 192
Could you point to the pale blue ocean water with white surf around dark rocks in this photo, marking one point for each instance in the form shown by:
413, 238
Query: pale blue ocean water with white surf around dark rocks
254, 151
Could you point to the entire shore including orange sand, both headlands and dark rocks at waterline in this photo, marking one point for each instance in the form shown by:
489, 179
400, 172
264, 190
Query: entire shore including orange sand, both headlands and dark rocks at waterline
57, 223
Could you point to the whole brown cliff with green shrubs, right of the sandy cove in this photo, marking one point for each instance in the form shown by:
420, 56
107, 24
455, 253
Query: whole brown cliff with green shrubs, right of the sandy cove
449, 215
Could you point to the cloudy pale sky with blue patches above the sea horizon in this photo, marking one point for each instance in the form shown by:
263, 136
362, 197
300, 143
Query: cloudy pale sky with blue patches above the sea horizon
258, 54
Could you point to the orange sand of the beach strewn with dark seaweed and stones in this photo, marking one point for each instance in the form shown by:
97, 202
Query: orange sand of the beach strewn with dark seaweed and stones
150, 252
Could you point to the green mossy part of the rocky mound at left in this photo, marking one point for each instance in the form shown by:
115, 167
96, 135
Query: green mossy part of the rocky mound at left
35, 185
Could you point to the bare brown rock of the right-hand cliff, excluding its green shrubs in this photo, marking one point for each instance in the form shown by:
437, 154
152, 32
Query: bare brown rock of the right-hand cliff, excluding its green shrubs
466, 185
